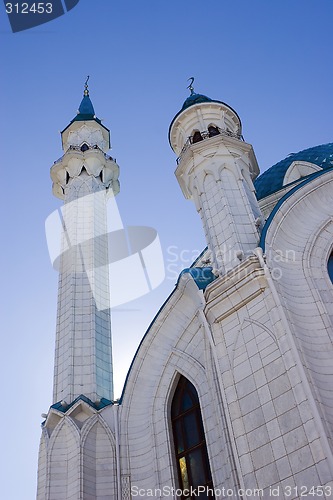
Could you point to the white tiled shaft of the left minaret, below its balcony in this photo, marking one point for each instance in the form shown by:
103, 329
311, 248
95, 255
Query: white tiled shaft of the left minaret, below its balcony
83, 361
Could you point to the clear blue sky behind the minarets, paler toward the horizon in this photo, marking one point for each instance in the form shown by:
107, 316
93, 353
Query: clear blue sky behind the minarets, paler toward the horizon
270, 60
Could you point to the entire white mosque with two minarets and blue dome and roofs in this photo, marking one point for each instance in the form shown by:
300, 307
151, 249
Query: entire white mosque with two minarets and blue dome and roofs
230, 393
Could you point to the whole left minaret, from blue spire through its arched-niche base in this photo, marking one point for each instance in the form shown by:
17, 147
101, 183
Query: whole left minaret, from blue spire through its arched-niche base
77, 447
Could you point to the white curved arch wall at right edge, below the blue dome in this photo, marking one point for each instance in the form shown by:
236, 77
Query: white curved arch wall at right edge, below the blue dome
303, 236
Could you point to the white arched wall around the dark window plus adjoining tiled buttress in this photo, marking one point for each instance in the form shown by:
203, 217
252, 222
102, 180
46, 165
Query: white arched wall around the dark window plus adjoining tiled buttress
259, 415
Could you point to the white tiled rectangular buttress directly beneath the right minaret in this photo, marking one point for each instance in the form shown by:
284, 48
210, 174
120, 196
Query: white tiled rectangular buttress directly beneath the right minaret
271, 410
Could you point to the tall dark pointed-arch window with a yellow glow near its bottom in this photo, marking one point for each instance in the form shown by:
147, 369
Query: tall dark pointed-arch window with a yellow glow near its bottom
189, 439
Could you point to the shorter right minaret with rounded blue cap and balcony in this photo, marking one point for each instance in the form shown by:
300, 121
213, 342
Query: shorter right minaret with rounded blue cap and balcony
216, 168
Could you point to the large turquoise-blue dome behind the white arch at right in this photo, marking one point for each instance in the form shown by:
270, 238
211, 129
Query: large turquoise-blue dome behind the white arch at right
271, 180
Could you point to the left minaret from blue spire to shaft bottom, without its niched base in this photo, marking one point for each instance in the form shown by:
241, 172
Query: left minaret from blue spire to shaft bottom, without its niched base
84, 178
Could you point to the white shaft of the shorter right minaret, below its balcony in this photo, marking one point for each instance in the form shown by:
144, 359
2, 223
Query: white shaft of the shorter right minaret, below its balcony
223, 193
